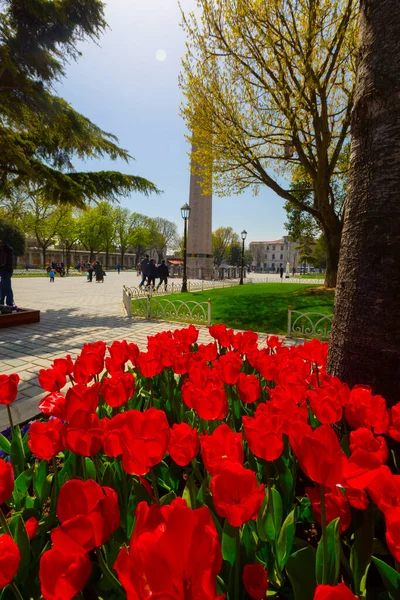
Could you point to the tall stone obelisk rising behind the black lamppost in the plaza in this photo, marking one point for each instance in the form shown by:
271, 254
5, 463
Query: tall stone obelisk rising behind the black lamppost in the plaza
200, 260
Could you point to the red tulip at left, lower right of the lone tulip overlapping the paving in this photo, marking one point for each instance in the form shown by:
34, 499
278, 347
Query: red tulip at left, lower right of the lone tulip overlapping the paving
46, 439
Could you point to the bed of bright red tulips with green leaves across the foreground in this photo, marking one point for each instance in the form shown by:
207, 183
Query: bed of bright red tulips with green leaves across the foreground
197, 472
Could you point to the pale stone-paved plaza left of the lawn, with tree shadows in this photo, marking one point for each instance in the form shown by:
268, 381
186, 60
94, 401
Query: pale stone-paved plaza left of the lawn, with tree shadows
73, 312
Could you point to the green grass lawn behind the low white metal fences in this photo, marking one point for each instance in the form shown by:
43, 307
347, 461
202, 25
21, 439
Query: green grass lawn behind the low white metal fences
261, 306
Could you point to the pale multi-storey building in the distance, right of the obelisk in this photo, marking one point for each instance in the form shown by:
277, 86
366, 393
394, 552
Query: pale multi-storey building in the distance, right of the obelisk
270, 256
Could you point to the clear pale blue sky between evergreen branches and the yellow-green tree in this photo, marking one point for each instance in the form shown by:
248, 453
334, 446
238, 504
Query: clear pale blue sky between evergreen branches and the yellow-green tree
121, 86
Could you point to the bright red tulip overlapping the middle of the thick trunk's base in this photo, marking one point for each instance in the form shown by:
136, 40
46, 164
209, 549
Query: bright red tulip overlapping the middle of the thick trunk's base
366, 410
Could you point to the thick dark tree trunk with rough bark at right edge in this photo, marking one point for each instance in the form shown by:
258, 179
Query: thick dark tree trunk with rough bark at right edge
365, 341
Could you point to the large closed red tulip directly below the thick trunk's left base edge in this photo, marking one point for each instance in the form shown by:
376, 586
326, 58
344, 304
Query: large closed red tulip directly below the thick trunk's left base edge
319, 455
